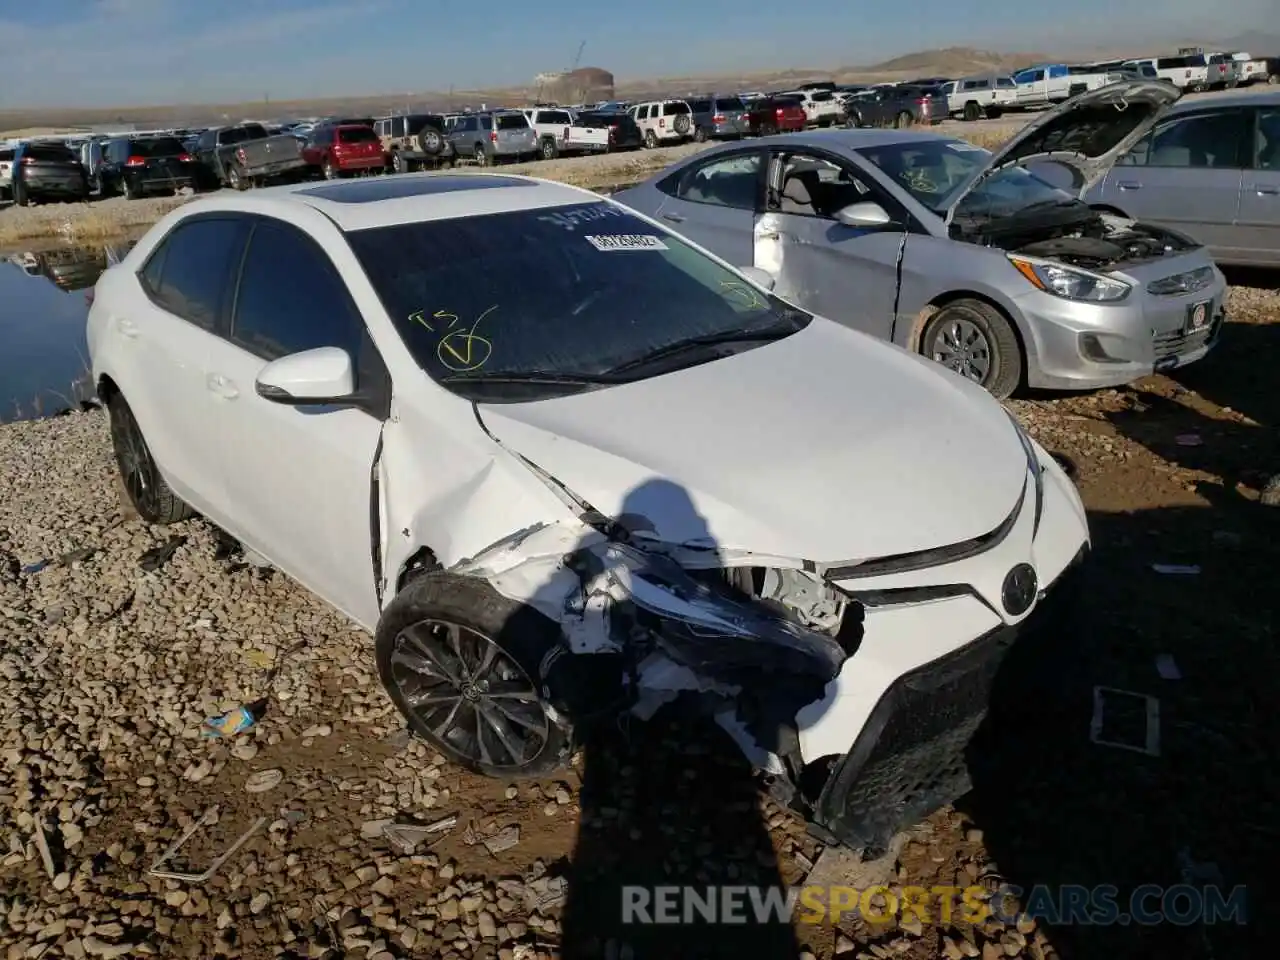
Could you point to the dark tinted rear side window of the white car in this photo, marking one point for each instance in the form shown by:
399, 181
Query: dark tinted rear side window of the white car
196, 271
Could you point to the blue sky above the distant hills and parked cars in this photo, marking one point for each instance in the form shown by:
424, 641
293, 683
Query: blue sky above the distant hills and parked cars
164, 52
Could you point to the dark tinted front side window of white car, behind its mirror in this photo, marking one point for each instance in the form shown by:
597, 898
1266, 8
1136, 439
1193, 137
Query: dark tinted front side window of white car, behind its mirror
291, 299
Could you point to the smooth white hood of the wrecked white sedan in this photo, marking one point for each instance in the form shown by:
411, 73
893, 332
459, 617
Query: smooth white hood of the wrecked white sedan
828, 446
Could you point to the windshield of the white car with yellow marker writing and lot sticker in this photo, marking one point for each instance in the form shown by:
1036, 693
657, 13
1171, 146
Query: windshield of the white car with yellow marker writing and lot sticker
514, 307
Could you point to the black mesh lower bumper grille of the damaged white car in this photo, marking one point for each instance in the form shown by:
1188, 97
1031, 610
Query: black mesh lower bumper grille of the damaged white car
909, 761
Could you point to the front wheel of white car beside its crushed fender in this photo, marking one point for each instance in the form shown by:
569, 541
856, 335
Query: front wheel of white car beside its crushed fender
461, 664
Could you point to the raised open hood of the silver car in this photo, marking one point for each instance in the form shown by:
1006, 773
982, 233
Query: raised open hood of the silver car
1087, 134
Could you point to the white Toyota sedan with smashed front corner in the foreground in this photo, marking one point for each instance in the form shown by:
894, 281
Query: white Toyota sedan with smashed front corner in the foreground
565, 465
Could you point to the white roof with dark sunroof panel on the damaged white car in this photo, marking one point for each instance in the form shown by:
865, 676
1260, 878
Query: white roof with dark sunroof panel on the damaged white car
385, 202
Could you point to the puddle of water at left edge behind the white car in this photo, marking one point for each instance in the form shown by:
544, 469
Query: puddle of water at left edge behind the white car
44, 358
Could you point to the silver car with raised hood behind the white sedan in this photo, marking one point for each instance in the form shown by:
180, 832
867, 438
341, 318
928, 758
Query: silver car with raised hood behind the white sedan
958, 254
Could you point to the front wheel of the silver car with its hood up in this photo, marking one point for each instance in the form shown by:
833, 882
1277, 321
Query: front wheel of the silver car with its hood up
976, 341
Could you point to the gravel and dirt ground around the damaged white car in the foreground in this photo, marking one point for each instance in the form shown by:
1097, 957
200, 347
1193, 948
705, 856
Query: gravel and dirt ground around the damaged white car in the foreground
111, 659
